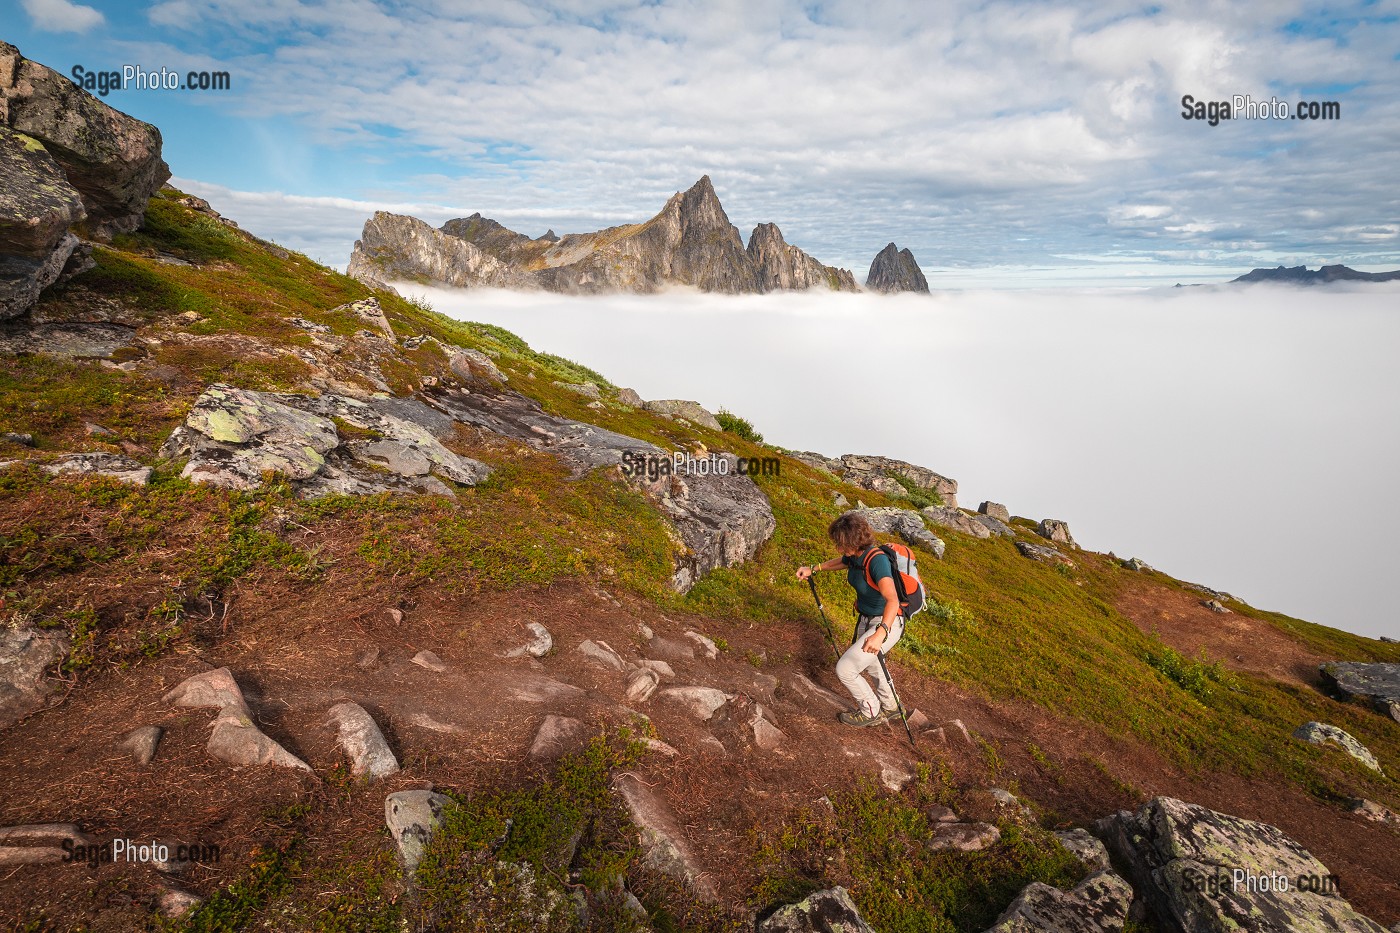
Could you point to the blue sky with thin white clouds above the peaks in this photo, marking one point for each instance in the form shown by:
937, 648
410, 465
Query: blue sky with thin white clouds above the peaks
1006, 144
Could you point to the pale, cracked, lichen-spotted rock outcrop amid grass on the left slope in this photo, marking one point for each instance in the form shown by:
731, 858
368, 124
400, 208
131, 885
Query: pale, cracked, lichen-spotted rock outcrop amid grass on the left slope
234, 436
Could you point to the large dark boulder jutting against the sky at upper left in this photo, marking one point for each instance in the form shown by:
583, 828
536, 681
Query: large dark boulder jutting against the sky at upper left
111, 159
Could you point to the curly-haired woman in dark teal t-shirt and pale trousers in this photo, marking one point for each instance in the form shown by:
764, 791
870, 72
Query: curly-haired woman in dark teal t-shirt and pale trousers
880, 626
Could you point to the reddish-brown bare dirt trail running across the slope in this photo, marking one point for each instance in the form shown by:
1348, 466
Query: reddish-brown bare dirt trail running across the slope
470, 728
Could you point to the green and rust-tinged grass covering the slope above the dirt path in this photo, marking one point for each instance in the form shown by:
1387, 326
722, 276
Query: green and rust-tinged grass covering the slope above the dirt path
1004, 627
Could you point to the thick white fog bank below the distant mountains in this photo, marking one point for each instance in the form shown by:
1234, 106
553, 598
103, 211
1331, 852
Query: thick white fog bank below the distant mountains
1244, 438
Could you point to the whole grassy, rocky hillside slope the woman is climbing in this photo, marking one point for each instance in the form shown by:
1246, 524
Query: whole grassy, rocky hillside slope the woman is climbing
324, 611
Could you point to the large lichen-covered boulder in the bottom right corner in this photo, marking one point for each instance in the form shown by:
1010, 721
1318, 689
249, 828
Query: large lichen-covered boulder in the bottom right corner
1199, 871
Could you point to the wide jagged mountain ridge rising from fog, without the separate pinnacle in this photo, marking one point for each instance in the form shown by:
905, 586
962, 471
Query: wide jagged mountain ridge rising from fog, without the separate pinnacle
691, 243
